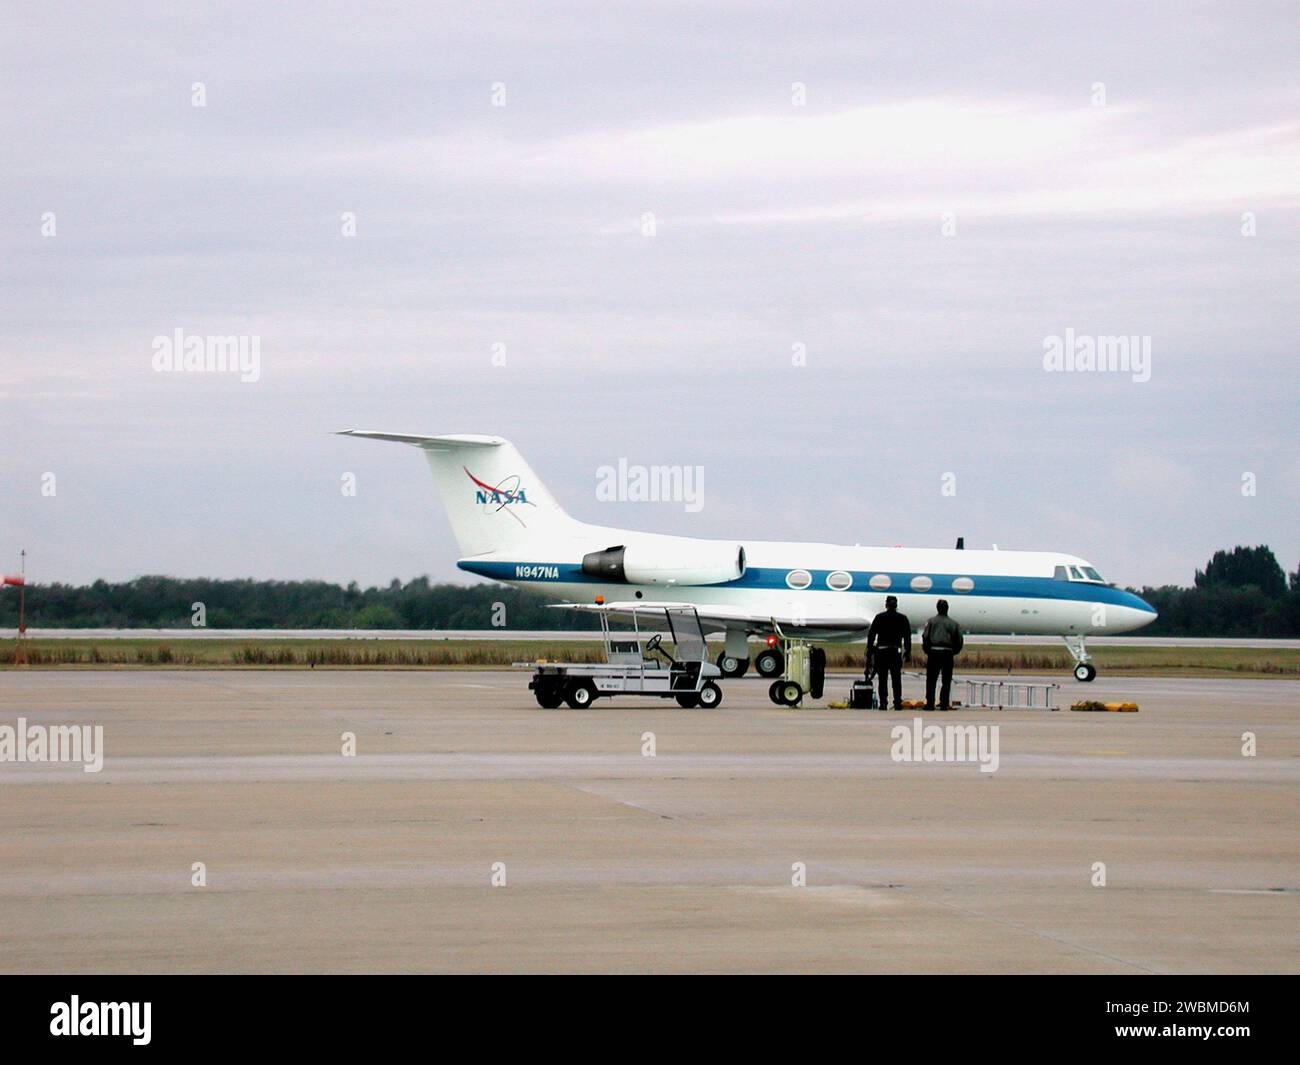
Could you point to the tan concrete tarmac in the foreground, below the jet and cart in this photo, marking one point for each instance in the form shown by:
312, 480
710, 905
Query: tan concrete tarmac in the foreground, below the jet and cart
614, 861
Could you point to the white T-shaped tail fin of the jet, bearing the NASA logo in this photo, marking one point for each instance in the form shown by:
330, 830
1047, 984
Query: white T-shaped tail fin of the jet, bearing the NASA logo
493, 499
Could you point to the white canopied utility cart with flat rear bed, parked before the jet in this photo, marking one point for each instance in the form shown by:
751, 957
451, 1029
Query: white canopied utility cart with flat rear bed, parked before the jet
636, 663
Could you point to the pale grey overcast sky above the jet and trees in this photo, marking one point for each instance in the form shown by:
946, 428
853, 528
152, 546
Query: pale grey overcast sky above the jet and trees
952, 187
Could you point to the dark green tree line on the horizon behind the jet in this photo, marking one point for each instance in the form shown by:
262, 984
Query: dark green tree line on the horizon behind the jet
1243, 592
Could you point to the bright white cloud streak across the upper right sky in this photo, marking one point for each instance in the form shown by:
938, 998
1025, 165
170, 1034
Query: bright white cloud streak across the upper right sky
882, 163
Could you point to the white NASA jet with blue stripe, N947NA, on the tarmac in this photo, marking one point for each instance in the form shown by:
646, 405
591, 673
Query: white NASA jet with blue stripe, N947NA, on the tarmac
510, 529
